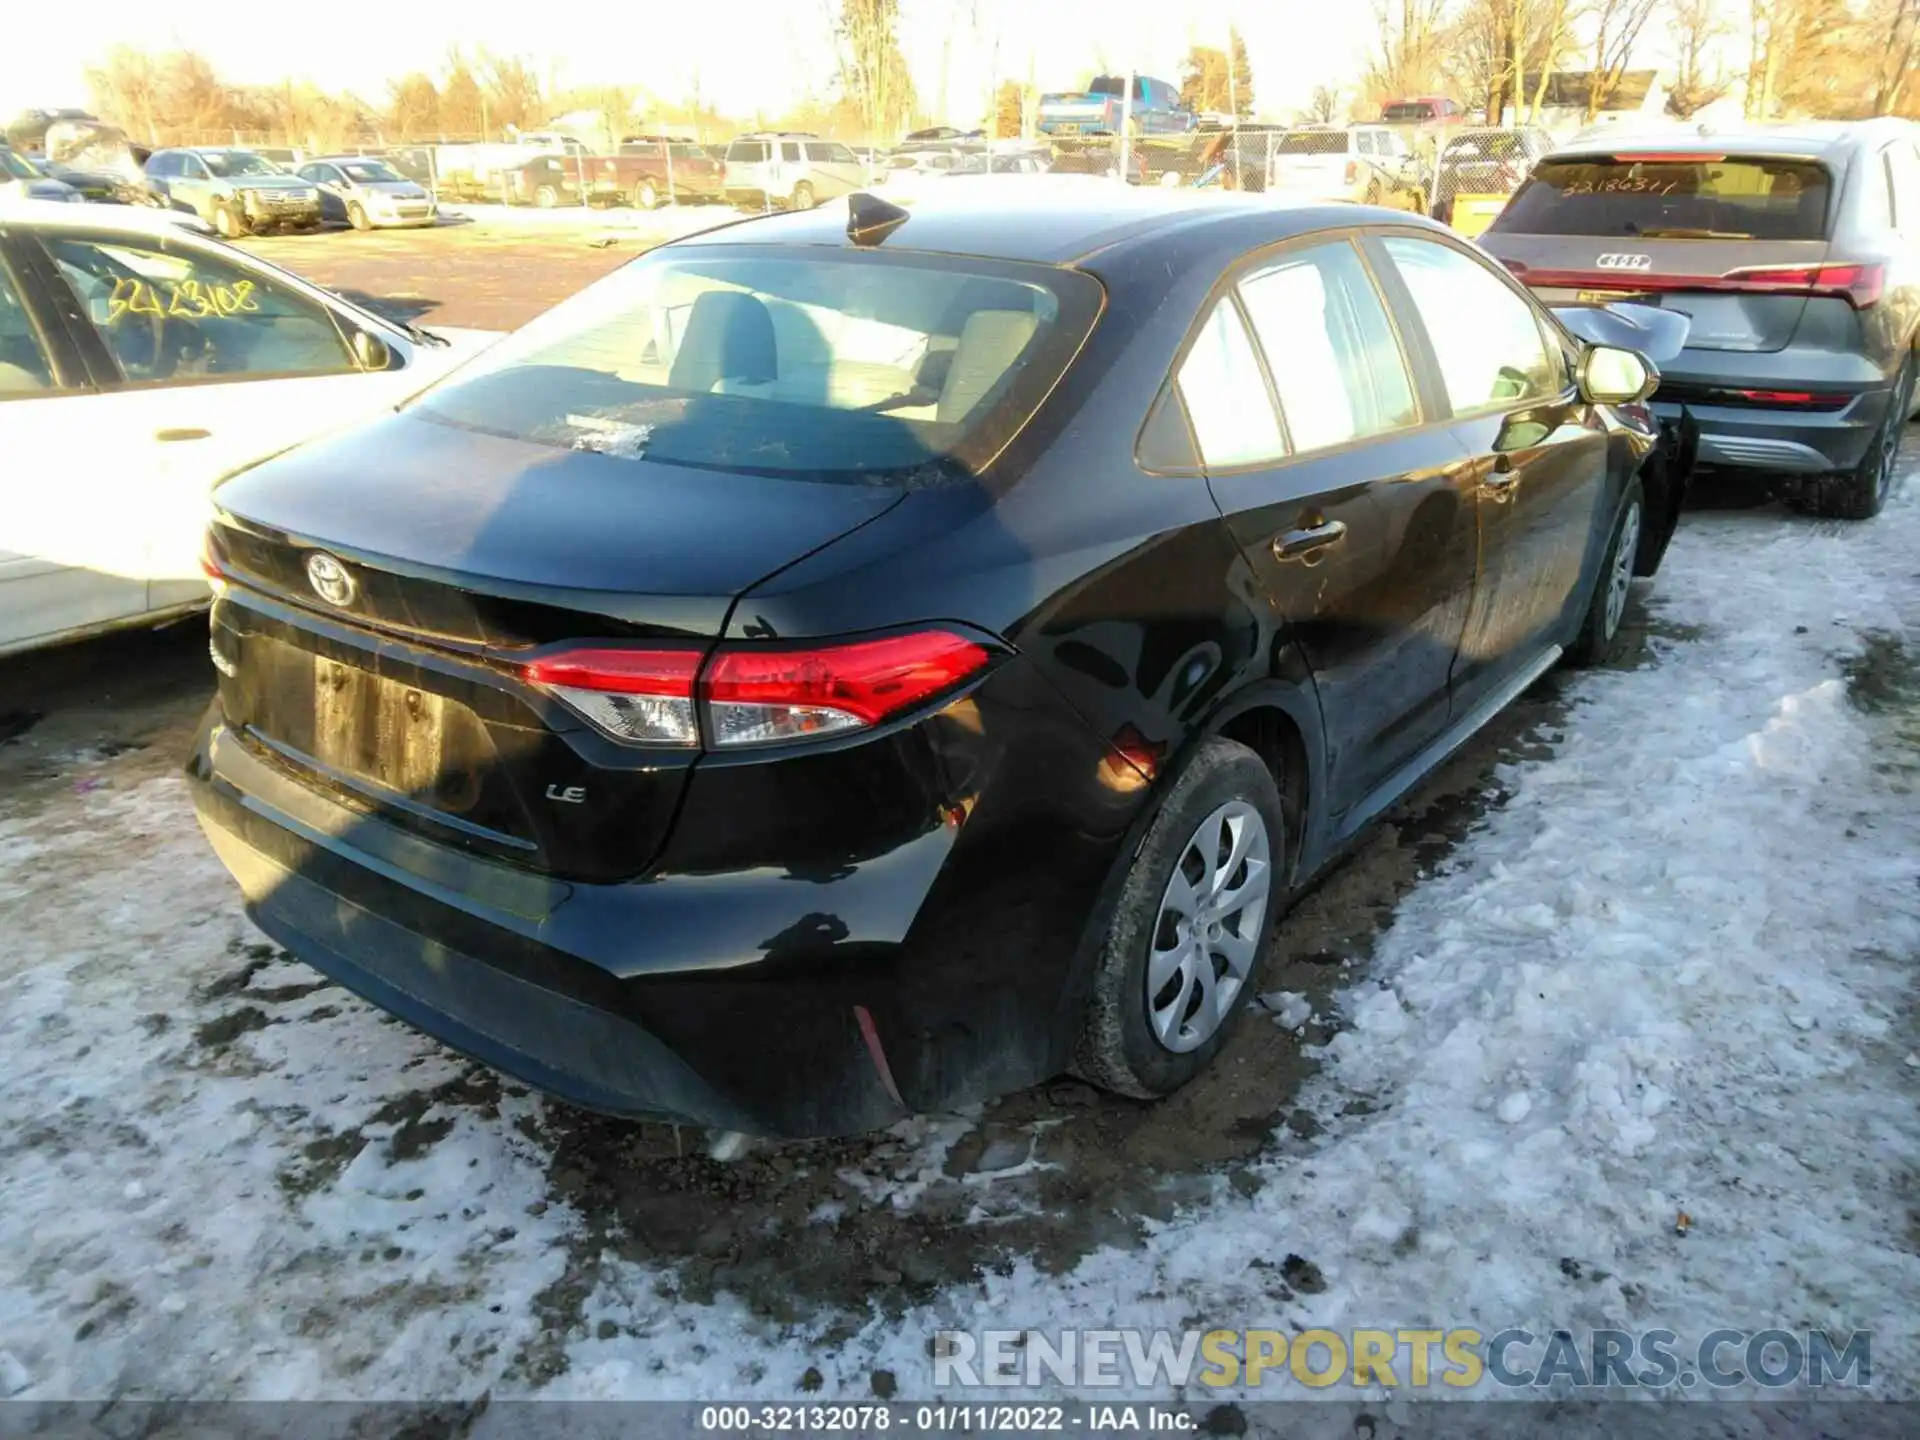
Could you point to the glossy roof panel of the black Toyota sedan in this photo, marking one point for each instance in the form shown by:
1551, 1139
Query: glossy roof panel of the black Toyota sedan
1053, 220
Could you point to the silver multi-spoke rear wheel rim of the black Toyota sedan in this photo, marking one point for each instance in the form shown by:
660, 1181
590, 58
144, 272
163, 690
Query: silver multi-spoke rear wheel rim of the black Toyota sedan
1212, 921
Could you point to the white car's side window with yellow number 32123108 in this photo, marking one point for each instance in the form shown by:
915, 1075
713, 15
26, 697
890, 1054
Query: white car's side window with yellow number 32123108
180, 316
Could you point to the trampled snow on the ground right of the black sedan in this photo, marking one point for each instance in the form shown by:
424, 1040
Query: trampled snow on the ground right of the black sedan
1671, 974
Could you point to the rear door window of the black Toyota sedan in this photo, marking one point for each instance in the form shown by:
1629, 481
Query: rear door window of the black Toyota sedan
1330, 347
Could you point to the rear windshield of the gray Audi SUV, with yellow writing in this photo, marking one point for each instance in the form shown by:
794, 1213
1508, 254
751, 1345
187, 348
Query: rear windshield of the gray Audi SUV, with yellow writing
1679, 199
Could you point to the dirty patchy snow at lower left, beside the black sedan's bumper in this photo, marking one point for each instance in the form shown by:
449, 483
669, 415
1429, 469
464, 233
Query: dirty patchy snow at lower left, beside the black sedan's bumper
220, 1178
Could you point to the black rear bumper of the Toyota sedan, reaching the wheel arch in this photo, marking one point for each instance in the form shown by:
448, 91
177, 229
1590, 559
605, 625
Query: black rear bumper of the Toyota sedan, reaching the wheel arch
924, 972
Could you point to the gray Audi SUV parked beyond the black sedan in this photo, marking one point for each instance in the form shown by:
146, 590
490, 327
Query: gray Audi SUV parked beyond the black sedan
1794, 252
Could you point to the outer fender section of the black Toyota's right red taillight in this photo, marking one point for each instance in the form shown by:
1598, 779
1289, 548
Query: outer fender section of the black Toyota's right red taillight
761, 696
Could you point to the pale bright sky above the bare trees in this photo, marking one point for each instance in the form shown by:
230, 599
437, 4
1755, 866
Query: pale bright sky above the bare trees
669, 49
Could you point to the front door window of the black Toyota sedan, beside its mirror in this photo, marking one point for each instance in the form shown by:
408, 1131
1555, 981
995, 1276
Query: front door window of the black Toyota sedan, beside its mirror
1485, 337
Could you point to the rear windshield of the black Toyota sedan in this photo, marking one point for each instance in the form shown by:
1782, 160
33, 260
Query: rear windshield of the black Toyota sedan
855, 368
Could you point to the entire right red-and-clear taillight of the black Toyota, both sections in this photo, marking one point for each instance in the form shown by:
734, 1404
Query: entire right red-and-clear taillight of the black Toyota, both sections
756, 696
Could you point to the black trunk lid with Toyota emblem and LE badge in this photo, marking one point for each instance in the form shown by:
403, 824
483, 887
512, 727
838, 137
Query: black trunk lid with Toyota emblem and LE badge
387, 590
